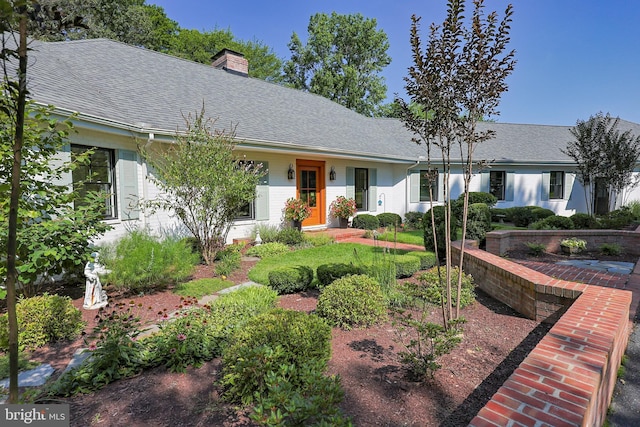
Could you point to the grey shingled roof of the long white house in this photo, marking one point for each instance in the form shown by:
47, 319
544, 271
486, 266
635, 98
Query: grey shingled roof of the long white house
129, 86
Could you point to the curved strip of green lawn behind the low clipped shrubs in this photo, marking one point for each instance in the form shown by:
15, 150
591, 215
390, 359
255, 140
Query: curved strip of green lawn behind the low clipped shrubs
313, 257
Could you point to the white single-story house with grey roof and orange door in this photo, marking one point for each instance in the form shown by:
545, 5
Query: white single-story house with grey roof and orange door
124, 96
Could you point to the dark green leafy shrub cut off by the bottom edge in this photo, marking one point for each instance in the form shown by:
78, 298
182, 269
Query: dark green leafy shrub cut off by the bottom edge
314, 400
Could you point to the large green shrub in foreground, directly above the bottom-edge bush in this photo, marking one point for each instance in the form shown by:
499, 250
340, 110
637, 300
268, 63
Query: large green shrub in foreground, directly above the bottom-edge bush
266, 342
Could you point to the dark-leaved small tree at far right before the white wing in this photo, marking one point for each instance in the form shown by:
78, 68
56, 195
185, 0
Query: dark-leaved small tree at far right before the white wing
604, 155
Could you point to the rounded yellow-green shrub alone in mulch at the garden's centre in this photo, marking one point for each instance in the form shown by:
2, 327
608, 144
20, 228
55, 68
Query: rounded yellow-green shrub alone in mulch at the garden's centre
352, 301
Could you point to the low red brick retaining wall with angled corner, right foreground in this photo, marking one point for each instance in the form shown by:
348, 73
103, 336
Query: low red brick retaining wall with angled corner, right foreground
569, 377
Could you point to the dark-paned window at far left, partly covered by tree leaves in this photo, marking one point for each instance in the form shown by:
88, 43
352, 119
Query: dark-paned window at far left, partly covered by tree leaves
97, 175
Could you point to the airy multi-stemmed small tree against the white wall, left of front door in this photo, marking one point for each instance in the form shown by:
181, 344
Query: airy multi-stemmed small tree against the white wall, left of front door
203, 182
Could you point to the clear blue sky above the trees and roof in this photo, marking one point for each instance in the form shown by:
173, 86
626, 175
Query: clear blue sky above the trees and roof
575, 58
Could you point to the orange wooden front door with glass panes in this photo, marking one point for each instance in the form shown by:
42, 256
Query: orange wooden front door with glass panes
310, 188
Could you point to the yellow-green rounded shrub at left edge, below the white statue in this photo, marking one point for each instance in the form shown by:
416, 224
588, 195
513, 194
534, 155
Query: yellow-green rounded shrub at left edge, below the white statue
41, 320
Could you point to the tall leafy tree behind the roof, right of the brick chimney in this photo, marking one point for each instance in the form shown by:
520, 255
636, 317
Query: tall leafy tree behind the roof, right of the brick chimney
341, 61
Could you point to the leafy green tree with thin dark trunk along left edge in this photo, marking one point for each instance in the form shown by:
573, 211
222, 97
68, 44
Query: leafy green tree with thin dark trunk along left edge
34, 207
